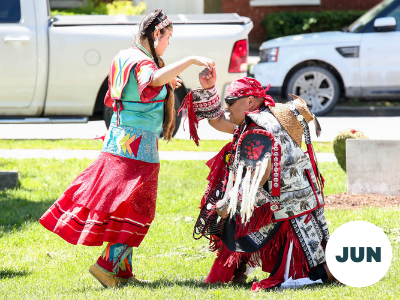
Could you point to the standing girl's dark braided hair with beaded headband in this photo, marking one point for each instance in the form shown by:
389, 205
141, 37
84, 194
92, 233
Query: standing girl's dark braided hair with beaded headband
147, 27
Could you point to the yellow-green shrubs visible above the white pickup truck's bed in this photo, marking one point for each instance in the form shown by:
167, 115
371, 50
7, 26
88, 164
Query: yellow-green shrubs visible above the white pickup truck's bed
116, 7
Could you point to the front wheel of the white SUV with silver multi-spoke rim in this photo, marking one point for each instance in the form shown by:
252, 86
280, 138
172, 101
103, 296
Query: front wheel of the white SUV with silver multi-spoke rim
317, 86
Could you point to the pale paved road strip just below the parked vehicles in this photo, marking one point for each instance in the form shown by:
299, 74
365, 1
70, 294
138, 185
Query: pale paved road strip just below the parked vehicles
385, 128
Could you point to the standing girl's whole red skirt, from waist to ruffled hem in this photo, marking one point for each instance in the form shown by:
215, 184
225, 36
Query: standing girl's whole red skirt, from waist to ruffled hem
113, 200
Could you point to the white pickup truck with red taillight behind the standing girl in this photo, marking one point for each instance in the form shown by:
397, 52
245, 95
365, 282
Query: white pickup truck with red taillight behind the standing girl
55, 70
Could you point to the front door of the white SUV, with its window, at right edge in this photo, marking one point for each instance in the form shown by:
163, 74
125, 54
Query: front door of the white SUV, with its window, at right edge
380, 59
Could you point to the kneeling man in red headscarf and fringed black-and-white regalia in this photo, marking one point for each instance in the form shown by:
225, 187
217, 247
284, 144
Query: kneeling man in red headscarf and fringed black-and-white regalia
264, 202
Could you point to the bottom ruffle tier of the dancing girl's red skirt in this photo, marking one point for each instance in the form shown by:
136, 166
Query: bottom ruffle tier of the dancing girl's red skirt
80, 225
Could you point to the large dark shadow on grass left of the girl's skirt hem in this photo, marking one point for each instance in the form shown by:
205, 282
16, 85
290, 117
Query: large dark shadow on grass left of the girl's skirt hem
15, 211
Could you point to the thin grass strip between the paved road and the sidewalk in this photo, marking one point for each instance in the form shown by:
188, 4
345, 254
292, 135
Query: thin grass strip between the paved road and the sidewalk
173, 145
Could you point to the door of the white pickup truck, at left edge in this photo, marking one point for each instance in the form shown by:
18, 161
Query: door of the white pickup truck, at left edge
18, 54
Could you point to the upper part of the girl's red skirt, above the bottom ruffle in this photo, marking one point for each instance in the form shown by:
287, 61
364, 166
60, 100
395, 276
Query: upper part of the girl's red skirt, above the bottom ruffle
111, 180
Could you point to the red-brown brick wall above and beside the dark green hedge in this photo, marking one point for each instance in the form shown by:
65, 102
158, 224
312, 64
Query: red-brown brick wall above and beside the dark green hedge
257, 13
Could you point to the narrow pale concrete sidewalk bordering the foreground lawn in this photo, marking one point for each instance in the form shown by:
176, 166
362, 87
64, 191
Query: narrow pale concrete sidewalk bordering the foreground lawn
92, 154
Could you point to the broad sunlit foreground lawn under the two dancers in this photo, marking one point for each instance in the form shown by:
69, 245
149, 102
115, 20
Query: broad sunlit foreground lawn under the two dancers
37, 264
